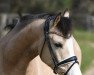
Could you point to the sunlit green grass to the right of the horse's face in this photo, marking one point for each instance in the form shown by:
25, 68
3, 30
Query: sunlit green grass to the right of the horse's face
86, 42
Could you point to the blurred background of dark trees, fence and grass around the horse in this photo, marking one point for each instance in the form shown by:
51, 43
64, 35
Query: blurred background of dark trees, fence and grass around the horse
82, 15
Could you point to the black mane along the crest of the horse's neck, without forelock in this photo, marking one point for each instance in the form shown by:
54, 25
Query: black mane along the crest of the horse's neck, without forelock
27, 18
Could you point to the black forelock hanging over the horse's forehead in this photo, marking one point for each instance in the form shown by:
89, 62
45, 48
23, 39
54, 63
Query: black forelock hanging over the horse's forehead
65, 26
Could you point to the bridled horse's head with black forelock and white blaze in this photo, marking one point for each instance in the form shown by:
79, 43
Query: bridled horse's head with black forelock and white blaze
57, 50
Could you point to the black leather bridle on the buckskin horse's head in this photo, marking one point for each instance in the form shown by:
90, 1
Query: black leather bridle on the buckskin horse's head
53, 56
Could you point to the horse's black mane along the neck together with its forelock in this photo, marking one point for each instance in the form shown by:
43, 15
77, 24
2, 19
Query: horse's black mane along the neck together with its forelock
64, 24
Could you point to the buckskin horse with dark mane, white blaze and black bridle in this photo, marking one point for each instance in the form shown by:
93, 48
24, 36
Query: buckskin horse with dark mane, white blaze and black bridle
49, 38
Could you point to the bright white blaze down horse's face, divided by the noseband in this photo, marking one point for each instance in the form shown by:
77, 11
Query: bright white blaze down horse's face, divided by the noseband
75, 70
